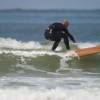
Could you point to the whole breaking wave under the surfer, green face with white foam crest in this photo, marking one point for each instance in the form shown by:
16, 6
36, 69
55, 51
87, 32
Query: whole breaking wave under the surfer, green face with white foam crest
36, 54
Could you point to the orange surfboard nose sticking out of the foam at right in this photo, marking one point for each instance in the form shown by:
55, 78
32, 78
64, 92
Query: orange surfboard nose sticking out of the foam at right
87, 51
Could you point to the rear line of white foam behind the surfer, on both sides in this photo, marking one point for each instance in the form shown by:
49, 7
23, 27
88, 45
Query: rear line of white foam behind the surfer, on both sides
14, 44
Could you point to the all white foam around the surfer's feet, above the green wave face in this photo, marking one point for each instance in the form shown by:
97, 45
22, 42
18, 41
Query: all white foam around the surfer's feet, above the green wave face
34, 49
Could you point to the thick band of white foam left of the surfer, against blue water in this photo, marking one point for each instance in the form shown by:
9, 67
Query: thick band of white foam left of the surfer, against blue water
14, 44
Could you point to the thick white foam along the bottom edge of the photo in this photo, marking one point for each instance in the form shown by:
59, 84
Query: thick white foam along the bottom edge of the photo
25, 93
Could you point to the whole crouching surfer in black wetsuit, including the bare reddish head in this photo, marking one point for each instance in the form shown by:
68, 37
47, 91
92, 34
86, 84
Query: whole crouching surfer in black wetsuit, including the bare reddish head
58, 31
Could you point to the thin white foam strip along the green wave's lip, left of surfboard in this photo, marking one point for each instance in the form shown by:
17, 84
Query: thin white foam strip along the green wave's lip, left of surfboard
31, 53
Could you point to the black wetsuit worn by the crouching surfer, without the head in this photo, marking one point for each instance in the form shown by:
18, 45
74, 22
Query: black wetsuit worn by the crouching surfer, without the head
57, 32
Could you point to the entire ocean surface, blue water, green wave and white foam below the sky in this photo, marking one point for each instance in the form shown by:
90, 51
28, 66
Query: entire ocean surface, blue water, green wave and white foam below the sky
29, 70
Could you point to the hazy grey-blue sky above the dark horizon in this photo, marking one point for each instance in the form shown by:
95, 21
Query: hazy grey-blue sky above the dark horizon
50, 4
